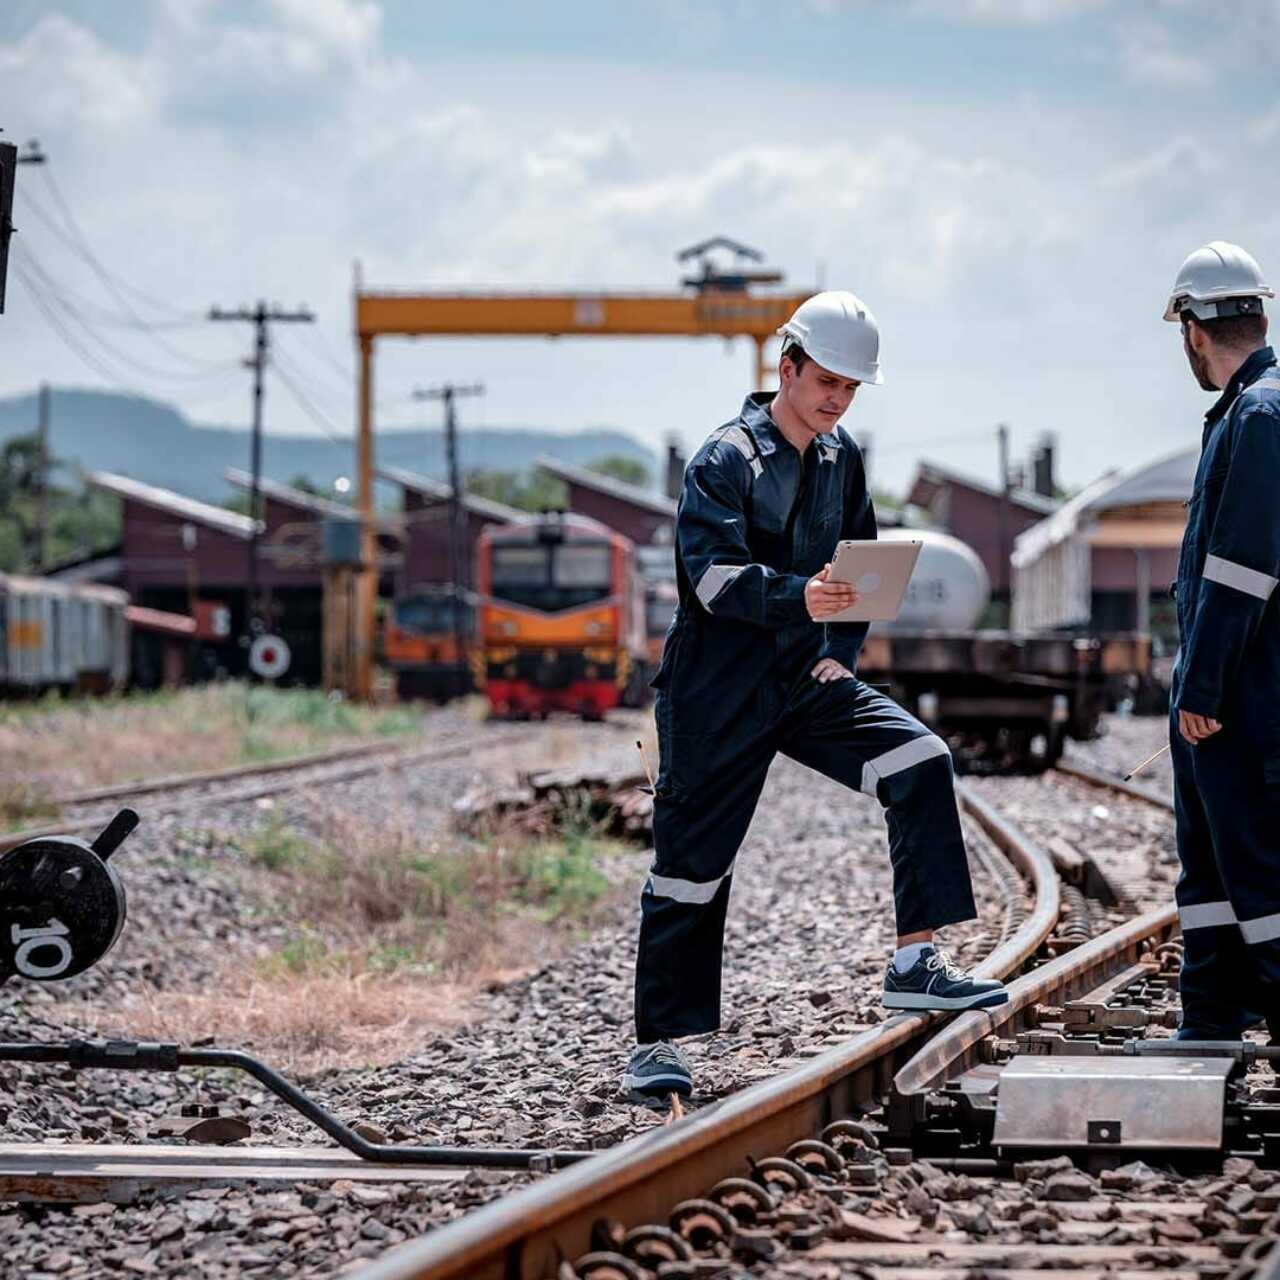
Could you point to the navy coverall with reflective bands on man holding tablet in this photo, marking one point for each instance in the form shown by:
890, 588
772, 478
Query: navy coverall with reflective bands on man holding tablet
757, 520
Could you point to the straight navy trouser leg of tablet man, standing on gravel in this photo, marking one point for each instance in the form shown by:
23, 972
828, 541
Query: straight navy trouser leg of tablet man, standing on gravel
708, 796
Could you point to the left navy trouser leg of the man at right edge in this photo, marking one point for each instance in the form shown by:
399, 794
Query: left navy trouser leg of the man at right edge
1215, 966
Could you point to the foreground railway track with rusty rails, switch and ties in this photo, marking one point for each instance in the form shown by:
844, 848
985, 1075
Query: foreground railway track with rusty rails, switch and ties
880, 1158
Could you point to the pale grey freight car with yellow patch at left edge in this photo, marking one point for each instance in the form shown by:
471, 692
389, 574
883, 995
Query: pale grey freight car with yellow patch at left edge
62, 637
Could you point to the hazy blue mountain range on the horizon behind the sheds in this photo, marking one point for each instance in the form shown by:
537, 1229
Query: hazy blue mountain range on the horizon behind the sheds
157, 444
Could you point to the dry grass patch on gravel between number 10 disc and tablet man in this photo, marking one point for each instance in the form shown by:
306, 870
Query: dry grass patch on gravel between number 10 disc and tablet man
391, 939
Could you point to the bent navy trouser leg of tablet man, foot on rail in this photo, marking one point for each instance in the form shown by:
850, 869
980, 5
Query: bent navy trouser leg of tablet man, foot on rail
858, 737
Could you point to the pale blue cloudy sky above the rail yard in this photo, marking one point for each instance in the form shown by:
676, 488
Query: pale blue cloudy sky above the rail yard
1011, 185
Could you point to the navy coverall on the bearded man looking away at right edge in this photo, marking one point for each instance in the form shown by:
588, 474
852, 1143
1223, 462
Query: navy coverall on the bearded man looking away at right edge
1228, 787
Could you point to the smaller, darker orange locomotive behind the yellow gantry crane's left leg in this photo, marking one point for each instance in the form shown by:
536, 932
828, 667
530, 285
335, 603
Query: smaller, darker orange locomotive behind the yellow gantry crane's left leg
428, 650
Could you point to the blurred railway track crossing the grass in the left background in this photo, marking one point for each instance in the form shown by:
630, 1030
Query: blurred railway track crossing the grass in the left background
86, 811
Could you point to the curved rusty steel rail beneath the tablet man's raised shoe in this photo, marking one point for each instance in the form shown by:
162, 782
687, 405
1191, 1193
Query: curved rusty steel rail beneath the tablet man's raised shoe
525, 1236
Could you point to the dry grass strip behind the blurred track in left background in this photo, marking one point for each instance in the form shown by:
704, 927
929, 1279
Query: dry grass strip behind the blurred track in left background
66, 744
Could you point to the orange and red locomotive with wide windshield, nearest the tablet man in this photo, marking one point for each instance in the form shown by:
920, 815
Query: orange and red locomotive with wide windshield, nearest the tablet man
561, 623
